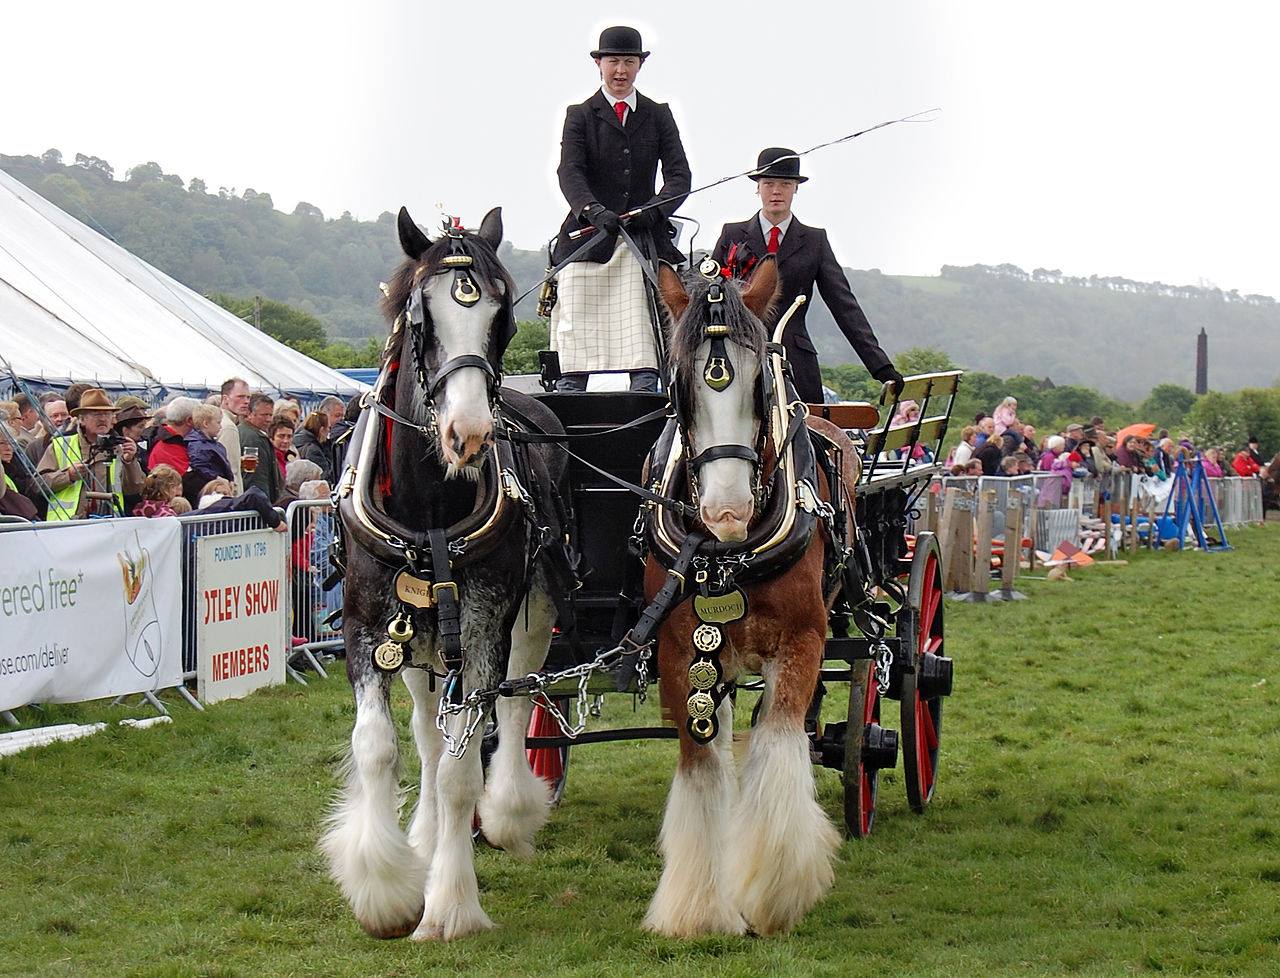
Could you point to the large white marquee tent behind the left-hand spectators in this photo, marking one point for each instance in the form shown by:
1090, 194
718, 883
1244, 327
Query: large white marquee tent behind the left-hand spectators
76, 307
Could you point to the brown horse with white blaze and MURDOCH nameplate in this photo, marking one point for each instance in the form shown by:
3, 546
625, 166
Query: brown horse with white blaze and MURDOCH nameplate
751, 853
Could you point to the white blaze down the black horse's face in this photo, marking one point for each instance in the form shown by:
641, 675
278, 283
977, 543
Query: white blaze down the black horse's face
464, 415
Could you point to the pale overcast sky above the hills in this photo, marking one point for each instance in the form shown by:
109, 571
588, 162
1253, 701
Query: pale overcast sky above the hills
1119, 139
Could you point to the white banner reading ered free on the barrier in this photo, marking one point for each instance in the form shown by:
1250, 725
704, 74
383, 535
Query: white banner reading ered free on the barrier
90, 610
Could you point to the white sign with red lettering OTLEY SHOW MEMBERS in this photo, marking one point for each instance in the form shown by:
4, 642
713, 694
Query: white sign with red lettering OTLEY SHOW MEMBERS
243, 628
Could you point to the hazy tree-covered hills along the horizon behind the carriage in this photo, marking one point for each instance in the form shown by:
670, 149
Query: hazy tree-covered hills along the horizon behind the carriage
1112, 335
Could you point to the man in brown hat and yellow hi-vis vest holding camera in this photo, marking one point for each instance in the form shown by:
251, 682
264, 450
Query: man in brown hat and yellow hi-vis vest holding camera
90, 469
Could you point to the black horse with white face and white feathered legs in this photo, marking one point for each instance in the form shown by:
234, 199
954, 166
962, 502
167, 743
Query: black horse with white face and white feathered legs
441, 524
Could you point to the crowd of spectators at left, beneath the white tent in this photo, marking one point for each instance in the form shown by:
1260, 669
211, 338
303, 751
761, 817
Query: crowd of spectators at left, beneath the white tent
79, 454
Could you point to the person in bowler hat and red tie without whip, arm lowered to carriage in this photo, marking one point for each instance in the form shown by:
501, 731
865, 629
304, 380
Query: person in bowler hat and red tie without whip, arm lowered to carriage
804, 261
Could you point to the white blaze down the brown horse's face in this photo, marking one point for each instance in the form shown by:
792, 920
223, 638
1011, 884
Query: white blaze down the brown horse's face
725, 418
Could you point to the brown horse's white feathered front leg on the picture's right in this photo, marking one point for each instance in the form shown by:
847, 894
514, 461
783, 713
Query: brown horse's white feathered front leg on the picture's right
784, 844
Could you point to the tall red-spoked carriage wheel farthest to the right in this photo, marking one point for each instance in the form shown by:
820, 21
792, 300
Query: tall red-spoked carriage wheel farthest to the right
925, 670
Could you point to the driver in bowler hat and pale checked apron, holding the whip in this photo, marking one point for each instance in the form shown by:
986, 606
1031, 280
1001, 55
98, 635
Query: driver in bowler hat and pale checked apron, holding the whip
610, 156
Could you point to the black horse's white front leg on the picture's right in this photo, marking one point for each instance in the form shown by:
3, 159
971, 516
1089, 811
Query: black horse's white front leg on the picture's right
452, 907
